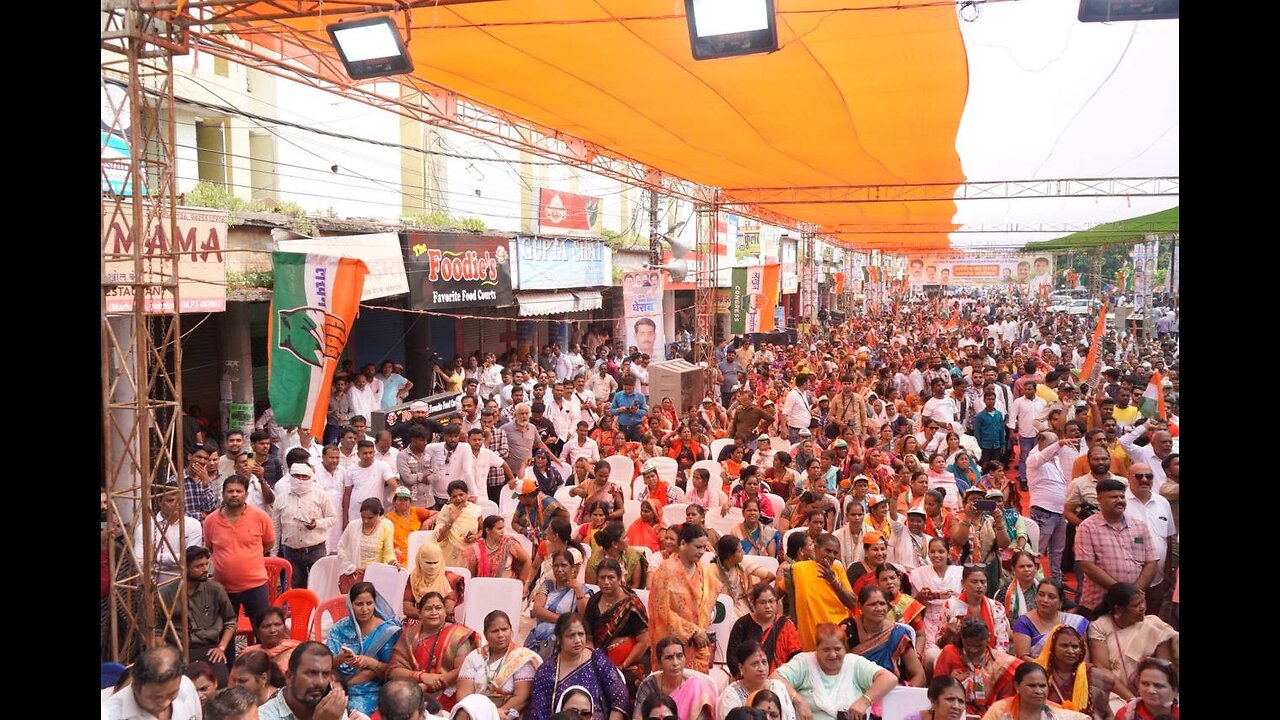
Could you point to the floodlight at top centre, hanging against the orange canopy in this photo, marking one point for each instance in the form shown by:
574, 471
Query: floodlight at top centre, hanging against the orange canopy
723, 29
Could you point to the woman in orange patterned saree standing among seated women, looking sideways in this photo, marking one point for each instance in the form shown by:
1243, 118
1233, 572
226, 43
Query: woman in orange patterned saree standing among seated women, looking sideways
683, 598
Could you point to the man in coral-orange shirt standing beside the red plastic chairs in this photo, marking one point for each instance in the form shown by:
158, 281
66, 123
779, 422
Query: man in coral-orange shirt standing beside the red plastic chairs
240, 537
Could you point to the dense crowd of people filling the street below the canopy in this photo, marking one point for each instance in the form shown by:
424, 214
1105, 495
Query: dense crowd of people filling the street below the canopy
929, 494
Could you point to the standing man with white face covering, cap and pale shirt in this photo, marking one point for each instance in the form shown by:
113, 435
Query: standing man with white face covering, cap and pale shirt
307, 514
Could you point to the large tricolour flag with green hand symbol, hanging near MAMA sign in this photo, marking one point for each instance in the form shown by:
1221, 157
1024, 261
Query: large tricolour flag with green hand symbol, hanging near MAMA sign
314, 306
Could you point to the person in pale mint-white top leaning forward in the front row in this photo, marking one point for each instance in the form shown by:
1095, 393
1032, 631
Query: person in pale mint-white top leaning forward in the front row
831, 681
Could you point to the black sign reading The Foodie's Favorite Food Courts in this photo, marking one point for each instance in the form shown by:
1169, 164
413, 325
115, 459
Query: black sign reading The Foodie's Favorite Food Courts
451, 271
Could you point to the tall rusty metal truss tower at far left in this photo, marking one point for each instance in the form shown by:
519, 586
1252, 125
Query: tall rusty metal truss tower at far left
141, 348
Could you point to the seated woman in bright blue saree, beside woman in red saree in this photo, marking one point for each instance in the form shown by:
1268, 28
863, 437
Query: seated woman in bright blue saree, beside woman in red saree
362, 645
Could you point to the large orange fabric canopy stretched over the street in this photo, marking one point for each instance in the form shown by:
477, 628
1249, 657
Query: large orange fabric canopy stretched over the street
854, 97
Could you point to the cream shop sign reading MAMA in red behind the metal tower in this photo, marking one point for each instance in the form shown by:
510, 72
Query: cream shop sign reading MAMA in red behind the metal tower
199, 240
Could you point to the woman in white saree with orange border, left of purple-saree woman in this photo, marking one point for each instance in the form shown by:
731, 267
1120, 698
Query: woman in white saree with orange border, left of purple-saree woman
504, 672
